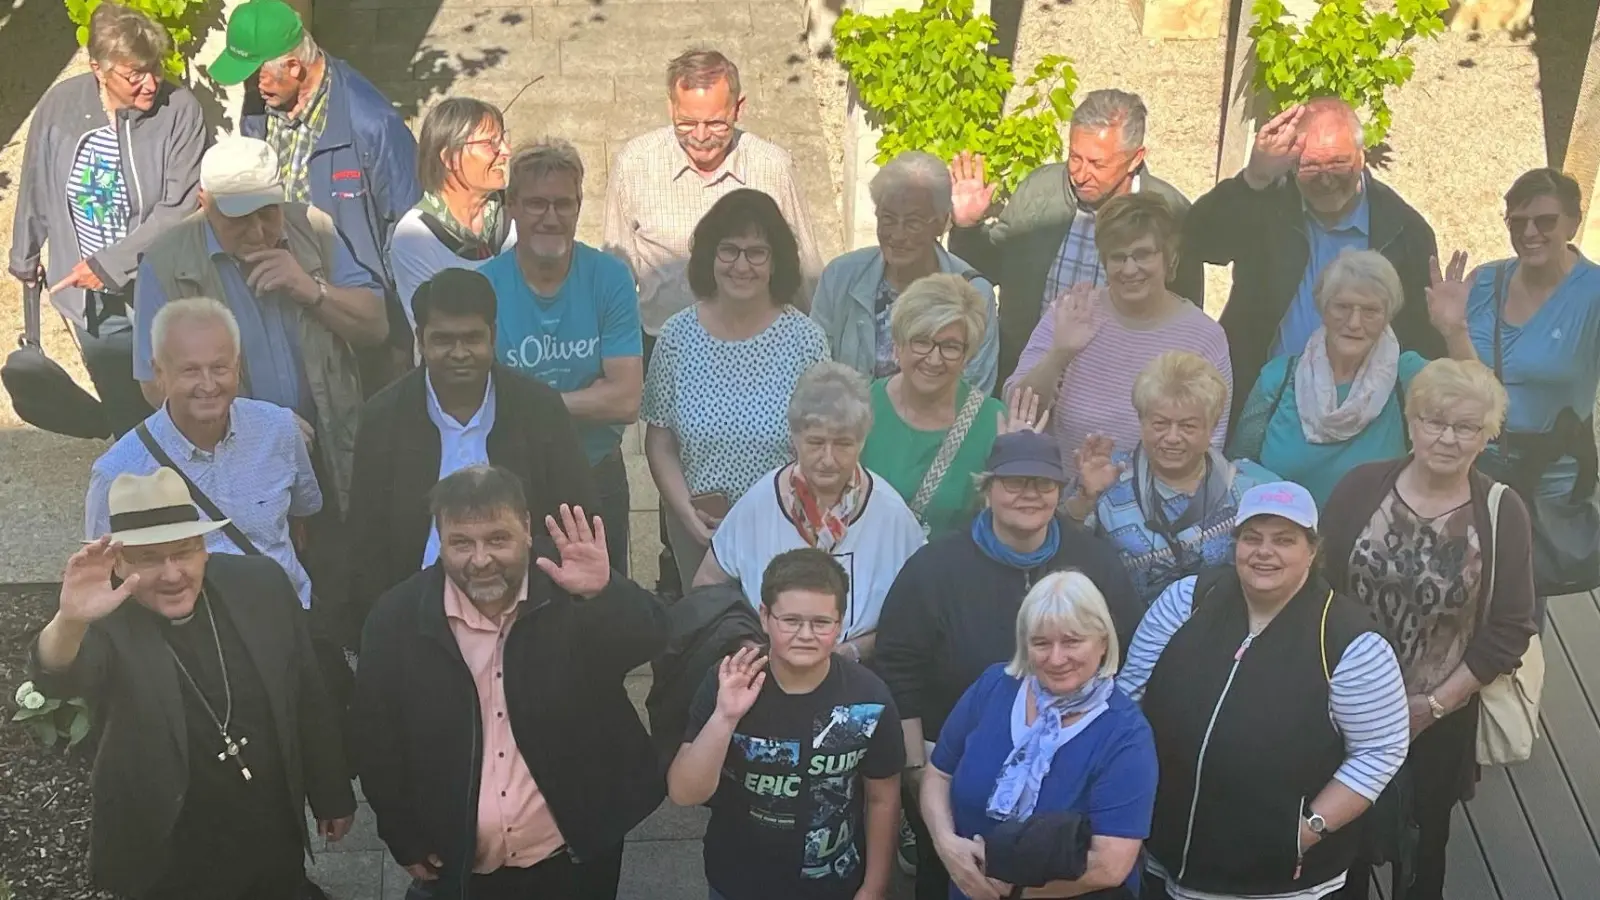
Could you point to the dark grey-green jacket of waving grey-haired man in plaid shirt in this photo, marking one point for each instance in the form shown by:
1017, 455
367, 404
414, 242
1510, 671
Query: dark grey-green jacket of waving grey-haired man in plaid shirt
1018, 251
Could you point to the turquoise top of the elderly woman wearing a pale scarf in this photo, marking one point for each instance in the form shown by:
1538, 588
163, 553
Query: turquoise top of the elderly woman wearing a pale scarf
1319, 467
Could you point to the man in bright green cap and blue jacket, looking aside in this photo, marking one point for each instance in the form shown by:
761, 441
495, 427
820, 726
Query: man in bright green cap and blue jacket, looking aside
342, 145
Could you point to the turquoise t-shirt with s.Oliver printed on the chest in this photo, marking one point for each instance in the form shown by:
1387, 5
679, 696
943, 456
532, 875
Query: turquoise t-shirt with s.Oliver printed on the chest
564, 340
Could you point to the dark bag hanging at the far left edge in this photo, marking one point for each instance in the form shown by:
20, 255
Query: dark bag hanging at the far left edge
42, 393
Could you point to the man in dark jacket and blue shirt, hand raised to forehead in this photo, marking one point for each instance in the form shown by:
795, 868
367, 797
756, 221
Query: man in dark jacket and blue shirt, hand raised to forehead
1305, 198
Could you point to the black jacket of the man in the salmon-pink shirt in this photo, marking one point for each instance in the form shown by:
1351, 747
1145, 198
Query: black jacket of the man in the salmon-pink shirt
418, 729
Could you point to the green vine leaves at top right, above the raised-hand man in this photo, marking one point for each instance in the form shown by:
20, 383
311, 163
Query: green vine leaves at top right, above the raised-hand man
1345, 50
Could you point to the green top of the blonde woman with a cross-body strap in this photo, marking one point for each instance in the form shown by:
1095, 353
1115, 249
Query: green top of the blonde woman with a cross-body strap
903, 454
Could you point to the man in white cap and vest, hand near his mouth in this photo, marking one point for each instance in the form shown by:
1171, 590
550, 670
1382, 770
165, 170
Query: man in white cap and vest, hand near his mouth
289, 278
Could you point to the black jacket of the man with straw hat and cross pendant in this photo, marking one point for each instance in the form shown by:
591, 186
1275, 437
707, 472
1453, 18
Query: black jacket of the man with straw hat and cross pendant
142, 771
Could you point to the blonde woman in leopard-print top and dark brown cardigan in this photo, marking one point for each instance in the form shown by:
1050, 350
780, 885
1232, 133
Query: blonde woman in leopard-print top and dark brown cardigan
1447, 579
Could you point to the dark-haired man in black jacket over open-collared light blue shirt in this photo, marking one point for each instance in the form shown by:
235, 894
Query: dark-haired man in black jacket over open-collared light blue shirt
457, 411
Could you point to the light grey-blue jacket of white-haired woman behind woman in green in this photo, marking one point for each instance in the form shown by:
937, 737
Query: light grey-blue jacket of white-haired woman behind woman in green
846, 307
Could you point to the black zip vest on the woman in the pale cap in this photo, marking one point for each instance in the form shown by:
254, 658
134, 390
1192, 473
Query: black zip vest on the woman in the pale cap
1271, 747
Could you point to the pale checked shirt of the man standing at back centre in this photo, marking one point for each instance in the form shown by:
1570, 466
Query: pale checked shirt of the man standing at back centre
655, 199
